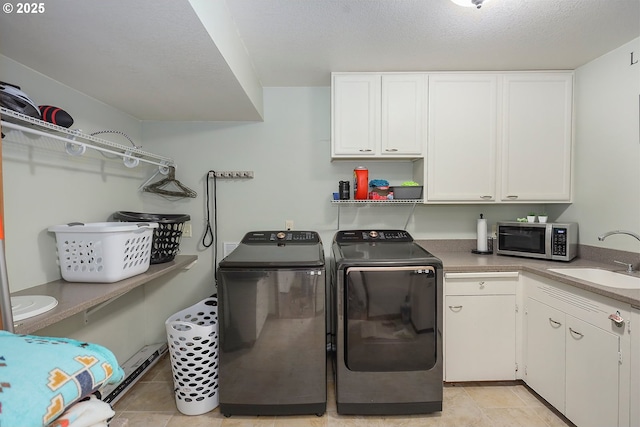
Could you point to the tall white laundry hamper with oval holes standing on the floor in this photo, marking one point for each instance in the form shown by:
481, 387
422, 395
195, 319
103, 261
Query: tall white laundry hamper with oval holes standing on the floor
192, 336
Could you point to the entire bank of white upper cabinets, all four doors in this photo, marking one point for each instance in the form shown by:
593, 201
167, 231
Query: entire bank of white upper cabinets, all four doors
478, 137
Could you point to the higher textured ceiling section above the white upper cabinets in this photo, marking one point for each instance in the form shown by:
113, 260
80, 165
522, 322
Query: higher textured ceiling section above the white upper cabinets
297, 42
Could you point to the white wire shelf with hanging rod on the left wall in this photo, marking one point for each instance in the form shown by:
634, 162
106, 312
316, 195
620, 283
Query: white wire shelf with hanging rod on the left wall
131, 155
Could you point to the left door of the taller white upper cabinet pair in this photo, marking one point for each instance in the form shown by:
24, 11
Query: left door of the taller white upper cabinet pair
462, 138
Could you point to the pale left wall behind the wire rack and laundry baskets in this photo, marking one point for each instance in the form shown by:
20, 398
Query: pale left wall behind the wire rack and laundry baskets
43, 186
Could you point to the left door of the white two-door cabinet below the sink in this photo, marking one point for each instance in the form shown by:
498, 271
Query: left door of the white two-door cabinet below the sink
545, 354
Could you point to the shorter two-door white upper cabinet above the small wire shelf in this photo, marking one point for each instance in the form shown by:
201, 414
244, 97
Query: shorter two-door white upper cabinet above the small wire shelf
377, 115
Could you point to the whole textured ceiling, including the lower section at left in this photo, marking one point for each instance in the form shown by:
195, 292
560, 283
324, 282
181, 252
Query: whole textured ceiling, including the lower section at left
158, 59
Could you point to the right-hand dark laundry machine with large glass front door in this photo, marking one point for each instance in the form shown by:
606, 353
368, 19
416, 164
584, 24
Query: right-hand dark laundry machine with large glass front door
386, 324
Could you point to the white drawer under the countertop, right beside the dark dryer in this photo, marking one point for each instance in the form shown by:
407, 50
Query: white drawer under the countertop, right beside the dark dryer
485, 283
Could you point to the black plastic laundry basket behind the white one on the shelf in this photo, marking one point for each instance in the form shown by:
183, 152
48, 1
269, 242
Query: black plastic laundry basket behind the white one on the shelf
166, 238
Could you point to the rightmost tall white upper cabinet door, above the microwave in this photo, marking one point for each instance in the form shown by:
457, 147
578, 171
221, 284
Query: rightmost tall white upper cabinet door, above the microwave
537, 137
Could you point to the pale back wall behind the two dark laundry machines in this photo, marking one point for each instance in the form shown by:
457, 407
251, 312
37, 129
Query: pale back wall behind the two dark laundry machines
294, 178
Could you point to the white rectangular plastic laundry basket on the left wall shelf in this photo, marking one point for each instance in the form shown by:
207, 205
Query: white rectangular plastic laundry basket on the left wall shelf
103, 251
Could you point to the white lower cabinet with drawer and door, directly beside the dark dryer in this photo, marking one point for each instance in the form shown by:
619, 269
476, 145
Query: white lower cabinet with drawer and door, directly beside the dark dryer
480, 326
